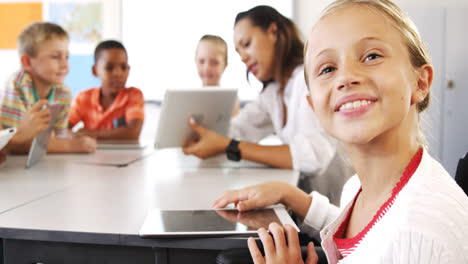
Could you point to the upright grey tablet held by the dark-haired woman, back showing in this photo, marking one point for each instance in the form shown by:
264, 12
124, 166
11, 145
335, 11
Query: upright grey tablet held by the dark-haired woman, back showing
211, 107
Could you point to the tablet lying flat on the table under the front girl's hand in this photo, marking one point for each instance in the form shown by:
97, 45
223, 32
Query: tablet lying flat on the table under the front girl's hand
163, 223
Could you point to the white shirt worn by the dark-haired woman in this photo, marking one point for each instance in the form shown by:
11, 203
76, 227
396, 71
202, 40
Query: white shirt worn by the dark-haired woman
312, 150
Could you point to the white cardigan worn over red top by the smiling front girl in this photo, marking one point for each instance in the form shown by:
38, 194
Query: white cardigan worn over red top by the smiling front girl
428, 222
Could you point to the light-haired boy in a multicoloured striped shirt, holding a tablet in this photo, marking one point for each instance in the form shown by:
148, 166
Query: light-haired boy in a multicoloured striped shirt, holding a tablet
43, 49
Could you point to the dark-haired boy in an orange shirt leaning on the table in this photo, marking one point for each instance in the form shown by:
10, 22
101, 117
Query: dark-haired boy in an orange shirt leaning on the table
111, 111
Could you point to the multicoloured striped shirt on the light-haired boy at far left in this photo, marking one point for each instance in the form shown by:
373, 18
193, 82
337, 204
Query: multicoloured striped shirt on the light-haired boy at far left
18, 96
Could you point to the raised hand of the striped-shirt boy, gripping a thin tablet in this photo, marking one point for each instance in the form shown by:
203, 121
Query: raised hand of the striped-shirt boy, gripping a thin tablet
34, 121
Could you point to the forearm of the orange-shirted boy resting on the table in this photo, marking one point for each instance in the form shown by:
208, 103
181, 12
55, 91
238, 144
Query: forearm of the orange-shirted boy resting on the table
131, 131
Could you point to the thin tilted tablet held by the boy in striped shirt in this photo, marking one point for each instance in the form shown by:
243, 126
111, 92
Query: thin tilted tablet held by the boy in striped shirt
40, 142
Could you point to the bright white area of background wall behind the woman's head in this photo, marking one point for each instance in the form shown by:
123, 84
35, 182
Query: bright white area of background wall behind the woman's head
164, 56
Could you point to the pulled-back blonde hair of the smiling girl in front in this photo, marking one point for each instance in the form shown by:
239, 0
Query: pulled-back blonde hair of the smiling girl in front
418, 52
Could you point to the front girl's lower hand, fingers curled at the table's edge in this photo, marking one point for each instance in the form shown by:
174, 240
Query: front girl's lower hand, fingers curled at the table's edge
276, 248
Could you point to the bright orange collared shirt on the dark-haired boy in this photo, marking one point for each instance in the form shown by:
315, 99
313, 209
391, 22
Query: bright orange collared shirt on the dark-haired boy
128, 105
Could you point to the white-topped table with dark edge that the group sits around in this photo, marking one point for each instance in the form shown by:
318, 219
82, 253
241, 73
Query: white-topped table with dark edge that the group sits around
66, 210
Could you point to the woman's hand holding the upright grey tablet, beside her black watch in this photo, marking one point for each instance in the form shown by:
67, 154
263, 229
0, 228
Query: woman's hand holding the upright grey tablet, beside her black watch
207, 144
